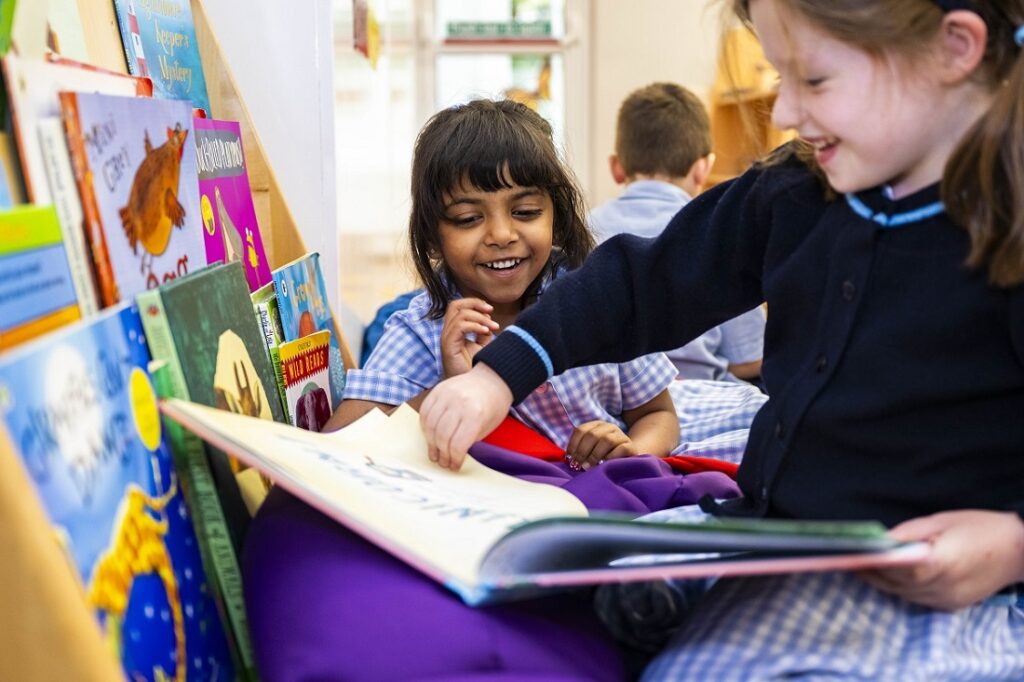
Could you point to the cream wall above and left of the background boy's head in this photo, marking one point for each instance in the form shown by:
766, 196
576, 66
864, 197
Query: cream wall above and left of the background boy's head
639, 42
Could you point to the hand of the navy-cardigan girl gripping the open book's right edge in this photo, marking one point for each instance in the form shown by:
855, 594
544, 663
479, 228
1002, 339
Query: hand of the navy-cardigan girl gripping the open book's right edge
974, 555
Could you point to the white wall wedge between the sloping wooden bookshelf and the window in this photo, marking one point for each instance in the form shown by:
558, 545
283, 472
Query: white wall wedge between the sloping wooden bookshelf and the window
282, 57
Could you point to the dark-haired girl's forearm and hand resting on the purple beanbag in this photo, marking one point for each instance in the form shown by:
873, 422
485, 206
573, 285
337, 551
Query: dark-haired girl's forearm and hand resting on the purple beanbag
651, 430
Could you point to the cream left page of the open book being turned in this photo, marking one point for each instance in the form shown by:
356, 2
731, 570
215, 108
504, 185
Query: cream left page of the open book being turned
375, 478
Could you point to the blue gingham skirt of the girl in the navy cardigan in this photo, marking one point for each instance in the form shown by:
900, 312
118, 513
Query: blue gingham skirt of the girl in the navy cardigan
814, 627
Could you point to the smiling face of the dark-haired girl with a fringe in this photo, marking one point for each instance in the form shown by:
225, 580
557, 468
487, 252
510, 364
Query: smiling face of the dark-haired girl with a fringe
496, 244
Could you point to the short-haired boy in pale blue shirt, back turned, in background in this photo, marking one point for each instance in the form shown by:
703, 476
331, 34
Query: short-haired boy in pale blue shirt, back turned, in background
664, 158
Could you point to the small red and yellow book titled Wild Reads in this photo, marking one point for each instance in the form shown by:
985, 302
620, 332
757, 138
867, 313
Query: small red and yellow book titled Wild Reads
305, 366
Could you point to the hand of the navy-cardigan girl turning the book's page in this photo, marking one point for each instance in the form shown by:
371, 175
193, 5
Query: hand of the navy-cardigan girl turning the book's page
460, 411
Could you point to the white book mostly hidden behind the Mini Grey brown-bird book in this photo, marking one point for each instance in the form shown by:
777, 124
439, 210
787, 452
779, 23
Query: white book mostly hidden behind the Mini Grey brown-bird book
32, 90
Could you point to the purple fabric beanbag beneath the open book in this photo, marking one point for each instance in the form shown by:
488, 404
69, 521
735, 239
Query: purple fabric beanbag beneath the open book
325, 605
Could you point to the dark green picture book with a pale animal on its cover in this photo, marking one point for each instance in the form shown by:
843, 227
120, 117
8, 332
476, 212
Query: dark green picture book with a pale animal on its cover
205, 340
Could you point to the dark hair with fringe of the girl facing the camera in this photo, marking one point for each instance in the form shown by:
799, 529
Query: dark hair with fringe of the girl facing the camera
491, 145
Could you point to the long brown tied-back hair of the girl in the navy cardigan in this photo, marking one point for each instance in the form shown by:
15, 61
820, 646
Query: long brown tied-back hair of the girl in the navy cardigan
984, 182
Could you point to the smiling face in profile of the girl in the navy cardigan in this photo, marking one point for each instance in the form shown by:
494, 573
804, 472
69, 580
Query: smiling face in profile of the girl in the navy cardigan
871, 120
